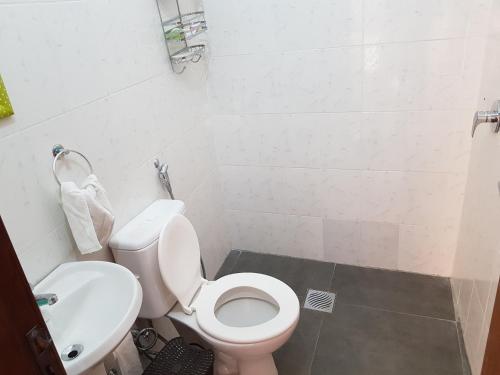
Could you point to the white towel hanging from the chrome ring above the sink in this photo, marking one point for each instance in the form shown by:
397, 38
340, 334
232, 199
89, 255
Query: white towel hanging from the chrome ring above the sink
89, 214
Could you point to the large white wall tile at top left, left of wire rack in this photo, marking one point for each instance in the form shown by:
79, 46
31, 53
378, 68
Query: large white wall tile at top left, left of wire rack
74, 64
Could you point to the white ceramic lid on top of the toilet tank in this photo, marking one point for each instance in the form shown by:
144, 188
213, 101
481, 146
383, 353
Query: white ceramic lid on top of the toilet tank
145, 228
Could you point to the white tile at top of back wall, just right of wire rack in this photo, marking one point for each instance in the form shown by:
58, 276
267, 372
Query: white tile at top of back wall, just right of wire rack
267, 26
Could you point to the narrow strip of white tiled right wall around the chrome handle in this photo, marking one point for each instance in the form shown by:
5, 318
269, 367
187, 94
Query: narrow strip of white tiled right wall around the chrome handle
477, 264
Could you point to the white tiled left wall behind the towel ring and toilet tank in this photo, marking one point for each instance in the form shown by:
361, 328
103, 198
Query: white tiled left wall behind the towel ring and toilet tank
94, 76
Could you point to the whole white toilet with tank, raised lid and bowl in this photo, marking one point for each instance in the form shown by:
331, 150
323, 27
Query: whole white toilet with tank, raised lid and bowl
244, 316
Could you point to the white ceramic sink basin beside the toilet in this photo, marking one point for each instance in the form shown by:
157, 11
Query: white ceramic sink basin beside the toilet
97, 304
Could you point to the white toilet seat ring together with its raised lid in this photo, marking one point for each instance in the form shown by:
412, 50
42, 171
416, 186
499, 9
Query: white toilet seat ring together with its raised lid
178, 260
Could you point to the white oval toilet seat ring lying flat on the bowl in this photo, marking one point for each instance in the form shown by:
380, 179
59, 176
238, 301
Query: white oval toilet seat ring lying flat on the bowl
237, 286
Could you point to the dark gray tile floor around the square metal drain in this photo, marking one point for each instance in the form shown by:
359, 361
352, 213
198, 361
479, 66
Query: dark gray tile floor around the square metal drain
383, 323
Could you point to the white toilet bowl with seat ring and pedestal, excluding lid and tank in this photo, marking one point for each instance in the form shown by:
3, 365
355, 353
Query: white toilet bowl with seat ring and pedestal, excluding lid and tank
245, 317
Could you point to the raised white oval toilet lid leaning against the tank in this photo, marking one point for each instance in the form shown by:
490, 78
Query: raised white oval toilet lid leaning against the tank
179, 259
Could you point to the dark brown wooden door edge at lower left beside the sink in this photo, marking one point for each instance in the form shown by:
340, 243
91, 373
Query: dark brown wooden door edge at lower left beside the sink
26, 347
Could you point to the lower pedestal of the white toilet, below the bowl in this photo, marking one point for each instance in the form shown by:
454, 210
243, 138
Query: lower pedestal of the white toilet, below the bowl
262, 365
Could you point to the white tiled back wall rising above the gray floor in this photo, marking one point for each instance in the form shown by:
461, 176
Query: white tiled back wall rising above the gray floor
342, 127
